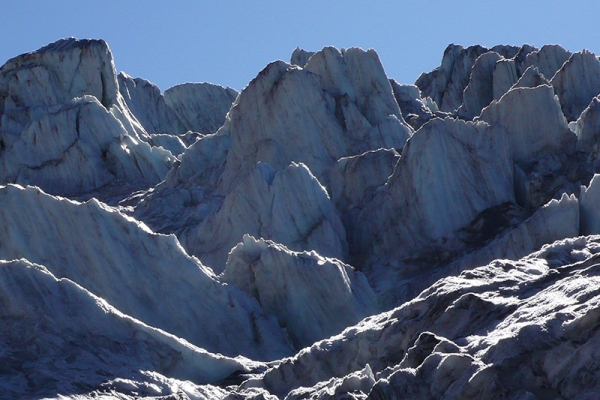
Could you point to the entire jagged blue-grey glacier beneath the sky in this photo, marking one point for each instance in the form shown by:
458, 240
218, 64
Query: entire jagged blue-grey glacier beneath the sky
326, 232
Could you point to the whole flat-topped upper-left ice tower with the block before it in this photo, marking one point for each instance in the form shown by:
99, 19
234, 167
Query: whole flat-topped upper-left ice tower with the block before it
66, 128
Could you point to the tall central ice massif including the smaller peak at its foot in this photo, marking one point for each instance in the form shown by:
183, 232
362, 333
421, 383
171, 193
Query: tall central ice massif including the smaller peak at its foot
341, 104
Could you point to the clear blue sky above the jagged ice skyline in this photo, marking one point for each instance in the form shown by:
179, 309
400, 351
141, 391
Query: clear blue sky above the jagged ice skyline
229, 42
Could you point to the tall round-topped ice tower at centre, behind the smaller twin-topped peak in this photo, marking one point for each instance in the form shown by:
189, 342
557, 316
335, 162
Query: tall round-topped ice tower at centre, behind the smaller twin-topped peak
283, 115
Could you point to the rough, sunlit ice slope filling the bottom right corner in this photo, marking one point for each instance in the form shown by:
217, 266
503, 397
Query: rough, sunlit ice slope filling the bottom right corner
525, 329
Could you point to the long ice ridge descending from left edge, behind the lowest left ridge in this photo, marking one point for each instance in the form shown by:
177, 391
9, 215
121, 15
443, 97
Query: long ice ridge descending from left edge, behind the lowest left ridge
145, 275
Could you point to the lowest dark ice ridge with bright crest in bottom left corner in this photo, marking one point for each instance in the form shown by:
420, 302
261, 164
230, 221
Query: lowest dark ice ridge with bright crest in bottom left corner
68, 341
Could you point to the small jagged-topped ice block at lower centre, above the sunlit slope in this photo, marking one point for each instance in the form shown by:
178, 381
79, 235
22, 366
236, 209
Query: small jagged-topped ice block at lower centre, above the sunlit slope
313, 297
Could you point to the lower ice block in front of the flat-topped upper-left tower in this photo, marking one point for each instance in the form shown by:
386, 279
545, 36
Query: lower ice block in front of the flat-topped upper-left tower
76, 148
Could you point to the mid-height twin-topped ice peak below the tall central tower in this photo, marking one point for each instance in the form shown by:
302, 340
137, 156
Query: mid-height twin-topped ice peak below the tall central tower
264, 204
